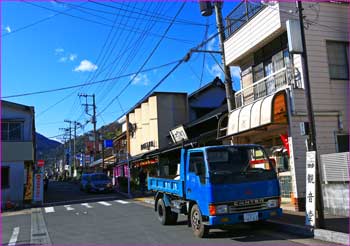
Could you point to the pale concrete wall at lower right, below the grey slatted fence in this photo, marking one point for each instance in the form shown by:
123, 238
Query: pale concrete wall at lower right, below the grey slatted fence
336, 199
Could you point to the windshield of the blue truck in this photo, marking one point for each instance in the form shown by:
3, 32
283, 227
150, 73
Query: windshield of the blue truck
238, 164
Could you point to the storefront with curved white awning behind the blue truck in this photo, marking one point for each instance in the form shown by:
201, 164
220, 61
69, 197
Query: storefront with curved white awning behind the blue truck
264, 122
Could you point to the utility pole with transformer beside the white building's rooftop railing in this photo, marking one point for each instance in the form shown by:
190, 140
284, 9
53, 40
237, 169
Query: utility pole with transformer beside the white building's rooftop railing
206, 10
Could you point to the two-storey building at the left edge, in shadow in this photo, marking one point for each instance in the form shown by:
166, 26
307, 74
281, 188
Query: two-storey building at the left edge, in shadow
17, 153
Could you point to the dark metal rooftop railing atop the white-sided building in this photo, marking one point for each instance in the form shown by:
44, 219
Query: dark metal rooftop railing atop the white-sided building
240, 15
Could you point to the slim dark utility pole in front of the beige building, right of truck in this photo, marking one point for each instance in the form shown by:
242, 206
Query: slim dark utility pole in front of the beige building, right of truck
310, 113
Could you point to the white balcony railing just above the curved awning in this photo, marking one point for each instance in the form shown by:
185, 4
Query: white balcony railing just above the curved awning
264, 87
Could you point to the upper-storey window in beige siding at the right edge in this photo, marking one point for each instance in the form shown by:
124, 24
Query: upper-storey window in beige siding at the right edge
338, 54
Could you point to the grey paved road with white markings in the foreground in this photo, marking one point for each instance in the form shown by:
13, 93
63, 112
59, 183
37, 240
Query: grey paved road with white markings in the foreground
122, 221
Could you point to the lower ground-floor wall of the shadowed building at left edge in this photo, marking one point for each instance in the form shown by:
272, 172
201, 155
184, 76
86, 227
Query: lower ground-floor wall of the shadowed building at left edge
14, 192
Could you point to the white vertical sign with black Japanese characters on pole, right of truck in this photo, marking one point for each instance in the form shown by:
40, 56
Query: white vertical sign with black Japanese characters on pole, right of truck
310, 188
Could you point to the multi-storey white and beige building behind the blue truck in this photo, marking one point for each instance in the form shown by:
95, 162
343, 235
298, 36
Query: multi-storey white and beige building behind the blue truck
271, 104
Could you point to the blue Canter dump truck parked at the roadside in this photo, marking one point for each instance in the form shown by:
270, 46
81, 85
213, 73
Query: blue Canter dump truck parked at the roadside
219, 186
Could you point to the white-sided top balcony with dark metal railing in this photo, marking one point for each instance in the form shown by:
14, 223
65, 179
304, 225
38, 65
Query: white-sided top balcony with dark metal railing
251, 26
